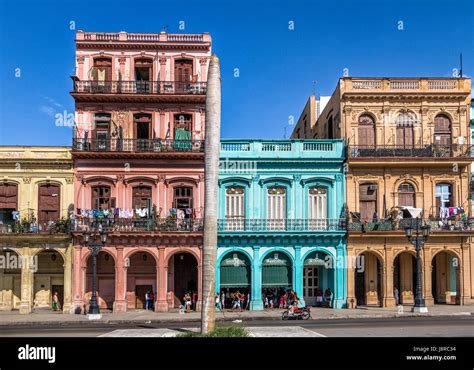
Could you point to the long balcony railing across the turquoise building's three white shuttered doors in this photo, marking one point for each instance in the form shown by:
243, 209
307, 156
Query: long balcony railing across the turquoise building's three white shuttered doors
283, 225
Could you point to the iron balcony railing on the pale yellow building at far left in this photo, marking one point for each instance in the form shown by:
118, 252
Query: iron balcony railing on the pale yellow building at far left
26, 227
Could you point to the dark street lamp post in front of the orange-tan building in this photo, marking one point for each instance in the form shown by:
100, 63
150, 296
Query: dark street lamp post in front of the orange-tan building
417, 235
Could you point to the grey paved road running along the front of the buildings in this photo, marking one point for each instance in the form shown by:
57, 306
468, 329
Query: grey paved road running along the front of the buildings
461, 326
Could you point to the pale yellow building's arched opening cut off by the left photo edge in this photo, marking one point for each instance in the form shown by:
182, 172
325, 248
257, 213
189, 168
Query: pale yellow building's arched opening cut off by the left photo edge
10, 280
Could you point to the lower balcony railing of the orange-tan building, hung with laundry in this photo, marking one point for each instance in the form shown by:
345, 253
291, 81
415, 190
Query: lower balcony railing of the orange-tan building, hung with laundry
436, 224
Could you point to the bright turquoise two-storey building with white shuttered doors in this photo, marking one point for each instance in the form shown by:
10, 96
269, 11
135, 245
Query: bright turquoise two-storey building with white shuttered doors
281, 220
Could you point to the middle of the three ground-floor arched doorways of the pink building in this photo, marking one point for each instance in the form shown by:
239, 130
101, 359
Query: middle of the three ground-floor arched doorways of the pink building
141, 278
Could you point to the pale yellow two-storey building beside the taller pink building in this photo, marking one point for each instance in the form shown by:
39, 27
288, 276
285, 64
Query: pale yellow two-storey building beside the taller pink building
36, 193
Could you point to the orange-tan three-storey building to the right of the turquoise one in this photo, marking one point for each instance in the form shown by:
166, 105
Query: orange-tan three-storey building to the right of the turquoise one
408, 156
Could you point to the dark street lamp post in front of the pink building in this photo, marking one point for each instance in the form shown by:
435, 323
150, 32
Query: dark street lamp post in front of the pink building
95, 247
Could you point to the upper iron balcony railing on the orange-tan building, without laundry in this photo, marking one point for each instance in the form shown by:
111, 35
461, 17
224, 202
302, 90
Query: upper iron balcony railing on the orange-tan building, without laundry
434, 150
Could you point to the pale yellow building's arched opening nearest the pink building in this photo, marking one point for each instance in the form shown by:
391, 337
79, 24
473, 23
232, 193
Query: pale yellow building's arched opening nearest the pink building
48, 279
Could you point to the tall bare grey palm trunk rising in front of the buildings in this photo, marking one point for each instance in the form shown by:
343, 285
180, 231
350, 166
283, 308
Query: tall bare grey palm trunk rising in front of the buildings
212, 148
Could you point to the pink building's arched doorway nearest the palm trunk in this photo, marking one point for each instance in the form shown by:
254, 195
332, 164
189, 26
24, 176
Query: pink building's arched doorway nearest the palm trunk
182, 277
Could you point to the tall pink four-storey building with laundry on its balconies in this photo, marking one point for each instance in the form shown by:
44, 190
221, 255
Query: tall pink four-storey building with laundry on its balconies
138, 152
